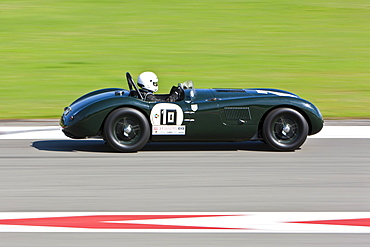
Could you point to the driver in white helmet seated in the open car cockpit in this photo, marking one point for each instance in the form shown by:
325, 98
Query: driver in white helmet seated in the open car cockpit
148, 81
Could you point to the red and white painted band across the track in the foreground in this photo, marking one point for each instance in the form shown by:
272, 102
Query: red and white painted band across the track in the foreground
187, 222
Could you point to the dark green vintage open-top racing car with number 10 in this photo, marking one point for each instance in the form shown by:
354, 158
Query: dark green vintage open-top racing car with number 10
127, 122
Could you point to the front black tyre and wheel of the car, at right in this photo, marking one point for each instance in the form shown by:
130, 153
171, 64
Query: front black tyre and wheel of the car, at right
285, 129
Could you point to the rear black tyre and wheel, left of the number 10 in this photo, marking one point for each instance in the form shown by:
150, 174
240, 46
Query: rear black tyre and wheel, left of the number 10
126, 130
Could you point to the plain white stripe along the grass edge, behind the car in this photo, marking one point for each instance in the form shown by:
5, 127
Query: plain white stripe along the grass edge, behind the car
55, 133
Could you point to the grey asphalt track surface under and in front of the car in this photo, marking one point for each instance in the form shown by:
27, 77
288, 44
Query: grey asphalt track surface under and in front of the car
326, 175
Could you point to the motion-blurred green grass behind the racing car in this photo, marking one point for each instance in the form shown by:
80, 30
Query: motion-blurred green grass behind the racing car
53, 51
